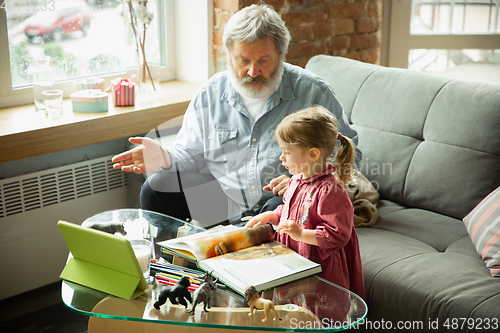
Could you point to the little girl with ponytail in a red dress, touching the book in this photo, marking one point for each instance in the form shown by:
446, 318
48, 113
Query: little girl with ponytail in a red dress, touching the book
316, 219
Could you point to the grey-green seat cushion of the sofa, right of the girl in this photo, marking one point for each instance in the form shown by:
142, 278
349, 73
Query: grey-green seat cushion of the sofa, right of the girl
411, 255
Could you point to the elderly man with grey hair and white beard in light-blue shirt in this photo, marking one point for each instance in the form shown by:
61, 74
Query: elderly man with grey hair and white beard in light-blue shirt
225, 161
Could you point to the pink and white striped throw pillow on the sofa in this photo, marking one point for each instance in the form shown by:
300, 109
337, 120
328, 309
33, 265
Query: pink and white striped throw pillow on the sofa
483, 226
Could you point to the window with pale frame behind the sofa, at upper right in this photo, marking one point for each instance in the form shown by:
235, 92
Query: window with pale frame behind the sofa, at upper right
437, 35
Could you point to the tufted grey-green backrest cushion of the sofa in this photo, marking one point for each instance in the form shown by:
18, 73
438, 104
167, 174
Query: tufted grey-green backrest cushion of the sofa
428, 142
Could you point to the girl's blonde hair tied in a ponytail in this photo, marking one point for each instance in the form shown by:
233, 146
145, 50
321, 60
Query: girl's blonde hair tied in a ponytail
316, 127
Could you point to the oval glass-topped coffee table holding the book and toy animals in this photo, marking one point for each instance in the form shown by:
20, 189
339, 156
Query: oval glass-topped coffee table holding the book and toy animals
307, 305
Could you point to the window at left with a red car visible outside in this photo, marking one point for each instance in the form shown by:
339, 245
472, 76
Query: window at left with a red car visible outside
84, 38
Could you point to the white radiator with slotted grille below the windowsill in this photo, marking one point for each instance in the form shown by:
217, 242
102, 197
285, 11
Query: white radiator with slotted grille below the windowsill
32, 249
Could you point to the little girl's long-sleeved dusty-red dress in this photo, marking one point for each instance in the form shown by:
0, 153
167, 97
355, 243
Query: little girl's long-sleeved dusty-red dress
320, 203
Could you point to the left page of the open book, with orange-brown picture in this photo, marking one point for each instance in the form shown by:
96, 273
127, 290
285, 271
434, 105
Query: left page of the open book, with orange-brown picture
223, 240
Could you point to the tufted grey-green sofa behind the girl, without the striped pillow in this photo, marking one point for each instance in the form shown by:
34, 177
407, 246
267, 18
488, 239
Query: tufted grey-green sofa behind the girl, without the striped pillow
431, 146
